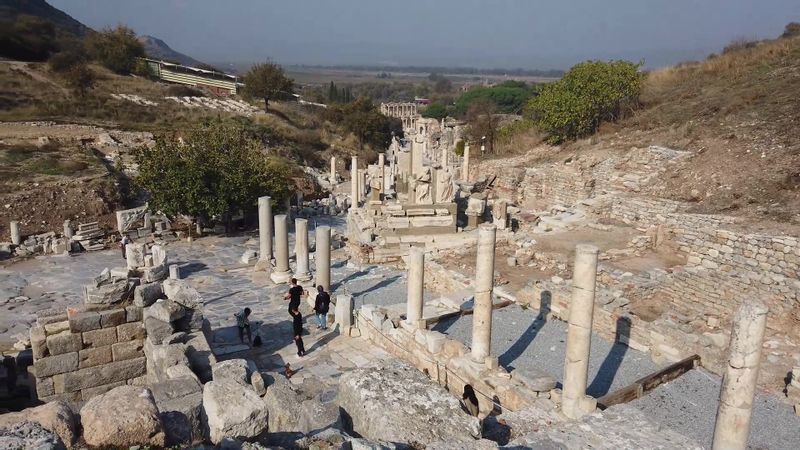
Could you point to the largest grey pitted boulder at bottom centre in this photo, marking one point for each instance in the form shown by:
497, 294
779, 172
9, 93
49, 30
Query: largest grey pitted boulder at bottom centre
429, 412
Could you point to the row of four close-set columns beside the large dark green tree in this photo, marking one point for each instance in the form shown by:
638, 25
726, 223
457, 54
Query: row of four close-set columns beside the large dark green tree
281, 272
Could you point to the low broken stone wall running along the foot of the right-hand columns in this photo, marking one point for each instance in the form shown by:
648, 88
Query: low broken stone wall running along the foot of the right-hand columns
447, 362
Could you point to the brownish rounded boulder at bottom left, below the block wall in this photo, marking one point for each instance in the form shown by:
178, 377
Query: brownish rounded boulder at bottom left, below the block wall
122, 417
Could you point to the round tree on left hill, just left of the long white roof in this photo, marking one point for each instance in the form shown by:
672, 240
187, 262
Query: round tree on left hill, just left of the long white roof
115, 48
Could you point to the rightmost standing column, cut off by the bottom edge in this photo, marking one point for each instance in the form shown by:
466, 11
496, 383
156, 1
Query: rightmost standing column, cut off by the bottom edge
739, 382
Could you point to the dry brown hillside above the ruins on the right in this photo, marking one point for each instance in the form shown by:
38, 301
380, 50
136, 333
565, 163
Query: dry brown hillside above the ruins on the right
736, 113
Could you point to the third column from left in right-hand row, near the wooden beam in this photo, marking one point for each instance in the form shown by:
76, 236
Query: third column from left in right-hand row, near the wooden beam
579, 333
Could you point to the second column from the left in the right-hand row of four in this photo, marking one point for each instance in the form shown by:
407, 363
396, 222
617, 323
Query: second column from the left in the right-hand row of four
484, 283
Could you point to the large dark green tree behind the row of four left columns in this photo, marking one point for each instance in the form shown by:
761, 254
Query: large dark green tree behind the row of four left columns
218, 170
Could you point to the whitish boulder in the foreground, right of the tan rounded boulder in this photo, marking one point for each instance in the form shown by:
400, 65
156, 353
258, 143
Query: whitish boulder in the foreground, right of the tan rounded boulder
233, 410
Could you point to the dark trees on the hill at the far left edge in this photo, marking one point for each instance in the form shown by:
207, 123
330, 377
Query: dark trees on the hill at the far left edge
27, 38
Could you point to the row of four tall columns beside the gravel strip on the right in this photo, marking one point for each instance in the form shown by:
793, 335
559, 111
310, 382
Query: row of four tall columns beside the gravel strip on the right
738, 384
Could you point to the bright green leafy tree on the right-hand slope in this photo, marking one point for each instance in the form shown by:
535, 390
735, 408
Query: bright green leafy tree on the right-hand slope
590, 93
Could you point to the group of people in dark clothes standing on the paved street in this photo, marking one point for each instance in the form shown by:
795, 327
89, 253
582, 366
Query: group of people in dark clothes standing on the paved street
296, 292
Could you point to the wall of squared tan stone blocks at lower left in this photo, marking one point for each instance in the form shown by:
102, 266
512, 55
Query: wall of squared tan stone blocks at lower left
87, 351
